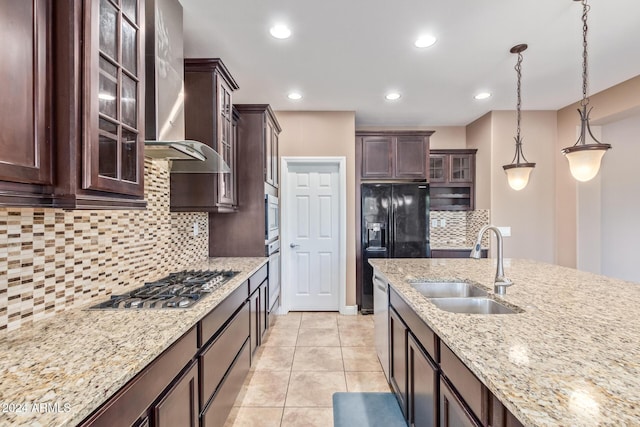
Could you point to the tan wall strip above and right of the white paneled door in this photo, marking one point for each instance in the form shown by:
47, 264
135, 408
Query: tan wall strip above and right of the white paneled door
326, 133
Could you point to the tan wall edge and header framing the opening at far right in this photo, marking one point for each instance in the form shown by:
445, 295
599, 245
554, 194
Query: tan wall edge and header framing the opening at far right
610, 105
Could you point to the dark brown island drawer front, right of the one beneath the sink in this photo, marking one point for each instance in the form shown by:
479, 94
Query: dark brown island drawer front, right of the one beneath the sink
464, 381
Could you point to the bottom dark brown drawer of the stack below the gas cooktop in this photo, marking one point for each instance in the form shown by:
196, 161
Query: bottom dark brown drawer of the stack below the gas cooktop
216, 413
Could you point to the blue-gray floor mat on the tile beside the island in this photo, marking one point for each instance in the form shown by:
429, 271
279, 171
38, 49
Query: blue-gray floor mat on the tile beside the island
367, 410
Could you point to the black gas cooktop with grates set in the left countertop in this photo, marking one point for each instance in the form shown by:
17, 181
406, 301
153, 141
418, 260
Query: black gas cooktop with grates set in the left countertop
178, 290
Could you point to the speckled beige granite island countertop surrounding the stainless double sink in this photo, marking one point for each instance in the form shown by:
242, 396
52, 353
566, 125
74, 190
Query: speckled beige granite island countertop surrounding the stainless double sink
571, 358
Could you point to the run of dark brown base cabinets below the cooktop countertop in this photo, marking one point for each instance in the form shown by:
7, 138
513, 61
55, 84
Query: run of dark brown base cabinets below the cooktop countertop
197, 379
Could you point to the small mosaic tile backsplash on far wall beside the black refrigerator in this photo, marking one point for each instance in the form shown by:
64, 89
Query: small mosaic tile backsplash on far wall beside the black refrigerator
460, 230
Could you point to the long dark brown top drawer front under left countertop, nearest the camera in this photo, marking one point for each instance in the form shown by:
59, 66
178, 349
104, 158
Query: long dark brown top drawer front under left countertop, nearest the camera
135, 397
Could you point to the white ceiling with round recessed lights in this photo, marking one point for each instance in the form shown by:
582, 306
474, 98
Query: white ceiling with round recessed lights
347, 54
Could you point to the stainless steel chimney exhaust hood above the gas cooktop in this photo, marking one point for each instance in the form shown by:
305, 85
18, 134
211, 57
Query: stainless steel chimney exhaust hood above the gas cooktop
164, 98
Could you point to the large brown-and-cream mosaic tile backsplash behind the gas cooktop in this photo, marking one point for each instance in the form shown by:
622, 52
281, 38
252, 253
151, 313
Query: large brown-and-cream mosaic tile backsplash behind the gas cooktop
52, 259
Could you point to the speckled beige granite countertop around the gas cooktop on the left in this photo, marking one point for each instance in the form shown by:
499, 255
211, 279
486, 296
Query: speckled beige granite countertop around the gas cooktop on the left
77, 359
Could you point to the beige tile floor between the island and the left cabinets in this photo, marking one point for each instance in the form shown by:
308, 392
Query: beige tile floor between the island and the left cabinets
305, 358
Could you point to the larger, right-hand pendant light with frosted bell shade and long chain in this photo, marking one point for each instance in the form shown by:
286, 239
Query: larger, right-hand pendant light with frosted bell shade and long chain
584, 159
